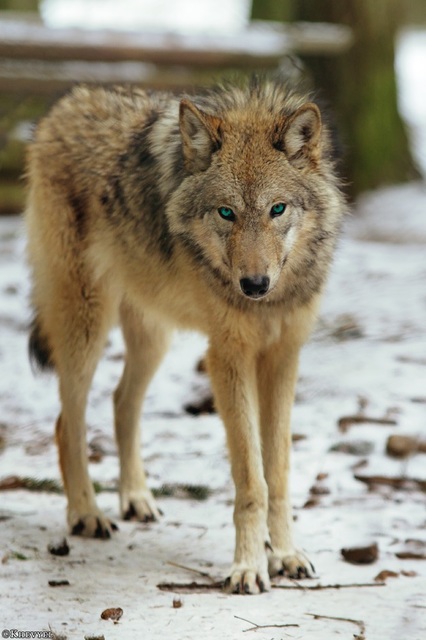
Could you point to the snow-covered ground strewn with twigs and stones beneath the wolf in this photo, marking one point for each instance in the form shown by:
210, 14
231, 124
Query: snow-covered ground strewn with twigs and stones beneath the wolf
368, 354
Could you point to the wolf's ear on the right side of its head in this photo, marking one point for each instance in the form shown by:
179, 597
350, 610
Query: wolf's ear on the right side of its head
299, 135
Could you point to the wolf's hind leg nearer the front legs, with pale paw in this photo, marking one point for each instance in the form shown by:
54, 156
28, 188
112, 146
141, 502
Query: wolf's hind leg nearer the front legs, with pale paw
146, 341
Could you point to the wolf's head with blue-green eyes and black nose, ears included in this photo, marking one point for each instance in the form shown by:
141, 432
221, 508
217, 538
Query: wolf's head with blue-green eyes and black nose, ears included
260, 200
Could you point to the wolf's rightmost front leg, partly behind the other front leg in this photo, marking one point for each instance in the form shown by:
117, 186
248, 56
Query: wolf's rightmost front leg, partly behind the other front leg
277, 375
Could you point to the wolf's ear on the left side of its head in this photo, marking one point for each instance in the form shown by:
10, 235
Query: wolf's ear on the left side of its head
200, 136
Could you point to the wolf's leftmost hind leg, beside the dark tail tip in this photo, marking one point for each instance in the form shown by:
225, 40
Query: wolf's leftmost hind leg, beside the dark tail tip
78, 328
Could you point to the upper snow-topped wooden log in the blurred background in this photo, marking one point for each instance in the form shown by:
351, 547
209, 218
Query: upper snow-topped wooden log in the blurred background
259, 45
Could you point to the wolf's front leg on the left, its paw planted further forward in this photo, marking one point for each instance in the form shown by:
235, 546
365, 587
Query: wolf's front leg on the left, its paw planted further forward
233, 376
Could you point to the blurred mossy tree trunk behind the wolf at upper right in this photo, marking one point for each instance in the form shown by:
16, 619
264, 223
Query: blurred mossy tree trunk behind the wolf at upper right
359, 85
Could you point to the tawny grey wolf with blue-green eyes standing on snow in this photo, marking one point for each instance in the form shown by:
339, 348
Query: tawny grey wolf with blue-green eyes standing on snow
215, 212
